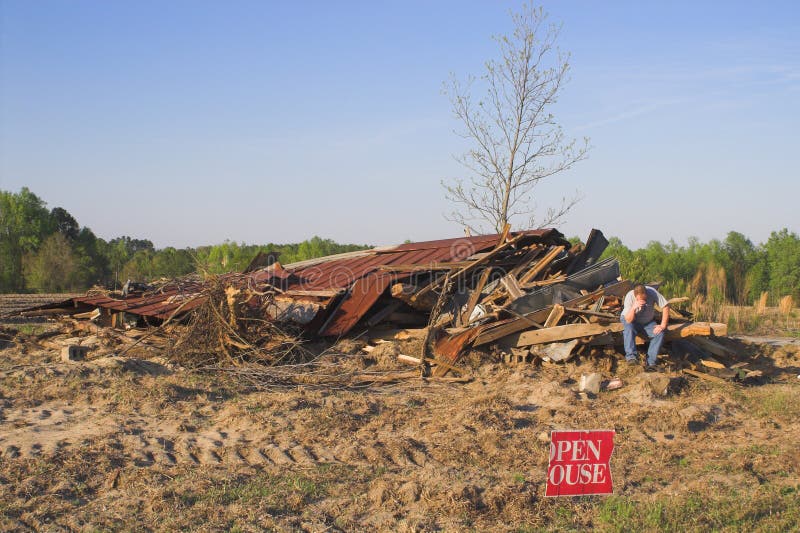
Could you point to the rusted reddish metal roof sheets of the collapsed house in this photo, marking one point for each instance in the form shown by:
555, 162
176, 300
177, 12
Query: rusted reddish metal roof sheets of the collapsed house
354, 280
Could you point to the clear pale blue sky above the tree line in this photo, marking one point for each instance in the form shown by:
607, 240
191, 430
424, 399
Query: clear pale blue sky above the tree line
192, 122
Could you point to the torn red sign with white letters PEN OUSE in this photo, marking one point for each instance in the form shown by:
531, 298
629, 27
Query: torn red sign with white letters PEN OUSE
580, 463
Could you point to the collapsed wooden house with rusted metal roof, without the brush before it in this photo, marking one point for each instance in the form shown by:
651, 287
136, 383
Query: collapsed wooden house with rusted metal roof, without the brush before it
532, 294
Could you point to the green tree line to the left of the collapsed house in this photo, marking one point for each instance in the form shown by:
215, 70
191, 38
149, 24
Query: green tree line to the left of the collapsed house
45, 250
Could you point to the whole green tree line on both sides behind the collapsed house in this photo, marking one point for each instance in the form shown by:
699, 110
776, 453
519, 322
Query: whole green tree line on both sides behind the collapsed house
45, 250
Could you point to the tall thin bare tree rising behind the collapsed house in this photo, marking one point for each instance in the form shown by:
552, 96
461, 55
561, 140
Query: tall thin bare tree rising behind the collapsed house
516, 141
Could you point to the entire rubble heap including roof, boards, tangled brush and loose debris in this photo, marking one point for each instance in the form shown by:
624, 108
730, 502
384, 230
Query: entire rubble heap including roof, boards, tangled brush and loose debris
530, 294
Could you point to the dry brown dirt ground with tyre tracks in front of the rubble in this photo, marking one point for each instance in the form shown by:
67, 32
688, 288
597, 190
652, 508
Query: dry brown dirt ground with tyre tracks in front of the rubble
140, 444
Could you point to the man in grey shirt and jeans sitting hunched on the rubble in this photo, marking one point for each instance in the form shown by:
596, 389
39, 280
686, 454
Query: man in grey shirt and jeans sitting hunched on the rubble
638, 317
